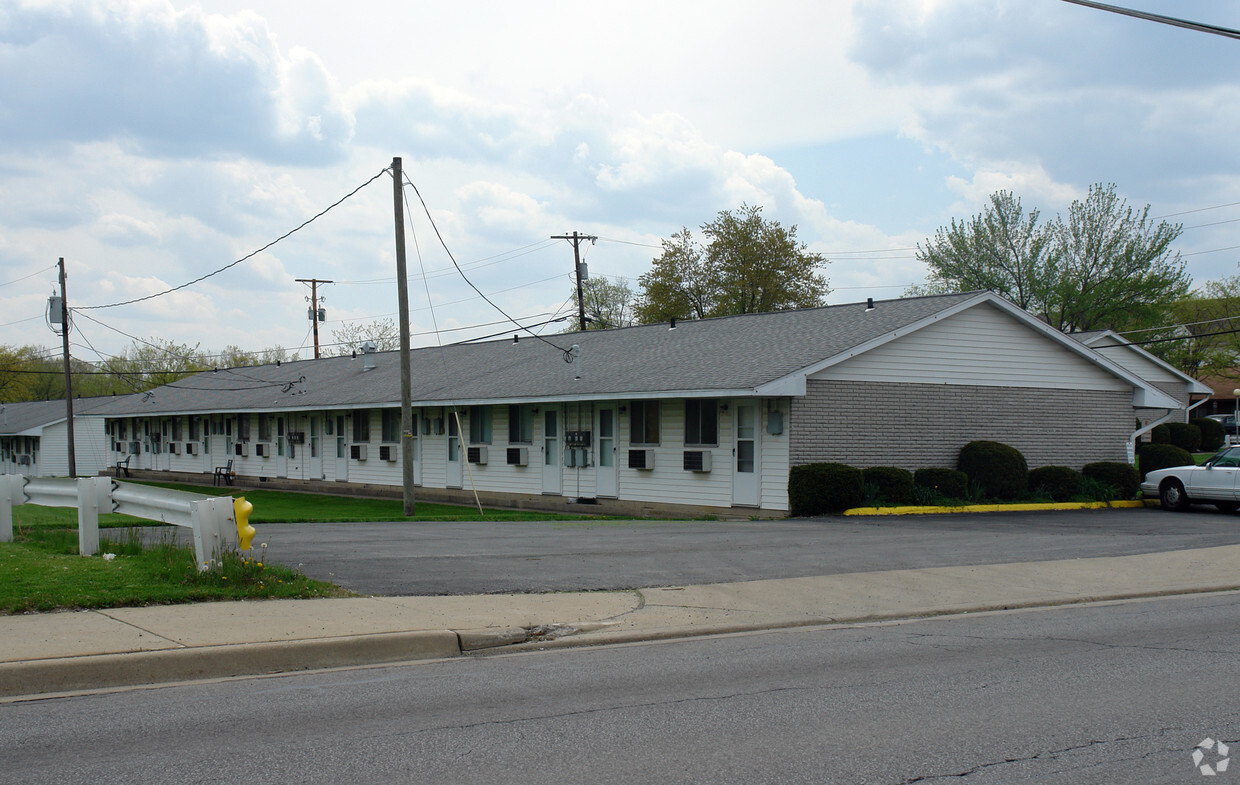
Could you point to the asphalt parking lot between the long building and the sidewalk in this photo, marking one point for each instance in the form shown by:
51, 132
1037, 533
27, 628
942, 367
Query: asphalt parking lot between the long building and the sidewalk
473, 559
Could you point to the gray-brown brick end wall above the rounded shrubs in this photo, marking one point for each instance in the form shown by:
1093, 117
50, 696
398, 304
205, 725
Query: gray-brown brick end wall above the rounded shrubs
917, 426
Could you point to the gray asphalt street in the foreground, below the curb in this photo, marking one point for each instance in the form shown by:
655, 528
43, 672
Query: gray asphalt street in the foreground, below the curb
1081, 696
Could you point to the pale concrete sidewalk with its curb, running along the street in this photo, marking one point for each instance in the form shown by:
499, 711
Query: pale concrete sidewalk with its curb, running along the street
86, 650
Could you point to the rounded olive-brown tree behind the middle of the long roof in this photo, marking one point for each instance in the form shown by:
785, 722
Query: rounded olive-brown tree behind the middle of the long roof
750, 265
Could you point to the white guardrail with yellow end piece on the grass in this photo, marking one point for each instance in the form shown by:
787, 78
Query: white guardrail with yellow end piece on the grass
211, 519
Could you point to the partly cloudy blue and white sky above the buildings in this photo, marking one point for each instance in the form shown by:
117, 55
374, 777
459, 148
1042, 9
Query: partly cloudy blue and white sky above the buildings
152, 143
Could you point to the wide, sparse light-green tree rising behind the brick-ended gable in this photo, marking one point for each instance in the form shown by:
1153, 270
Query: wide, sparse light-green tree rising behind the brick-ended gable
1103, 267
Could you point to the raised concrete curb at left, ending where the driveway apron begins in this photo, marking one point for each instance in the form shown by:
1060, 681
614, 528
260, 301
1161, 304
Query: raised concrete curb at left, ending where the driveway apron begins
199, 663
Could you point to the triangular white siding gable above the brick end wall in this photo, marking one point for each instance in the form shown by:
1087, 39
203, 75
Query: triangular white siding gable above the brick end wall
980, 347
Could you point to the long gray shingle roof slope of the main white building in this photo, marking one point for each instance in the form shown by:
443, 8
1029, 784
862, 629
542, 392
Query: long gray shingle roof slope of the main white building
710, 357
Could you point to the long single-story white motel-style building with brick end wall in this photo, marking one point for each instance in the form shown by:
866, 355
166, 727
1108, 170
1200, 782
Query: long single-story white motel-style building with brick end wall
705, 417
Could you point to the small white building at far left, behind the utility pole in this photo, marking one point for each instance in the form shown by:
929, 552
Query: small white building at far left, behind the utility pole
34, 438
